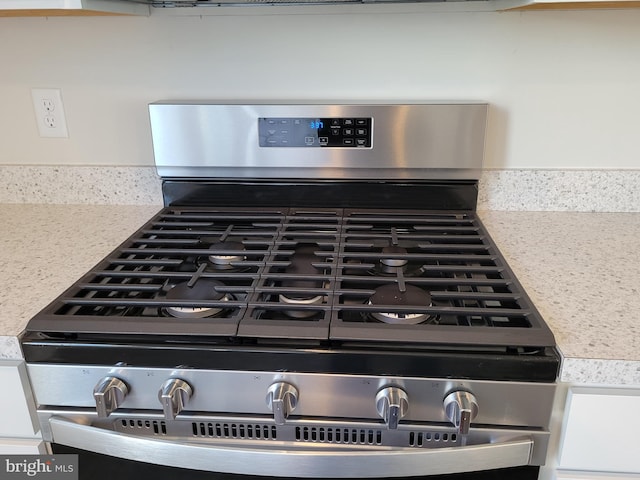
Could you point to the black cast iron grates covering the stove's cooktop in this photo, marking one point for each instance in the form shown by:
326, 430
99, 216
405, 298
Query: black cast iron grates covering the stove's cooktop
305, 273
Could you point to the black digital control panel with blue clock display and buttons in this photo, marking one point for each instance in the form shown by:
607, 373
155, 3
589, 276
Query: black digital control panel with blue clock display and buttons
309, 132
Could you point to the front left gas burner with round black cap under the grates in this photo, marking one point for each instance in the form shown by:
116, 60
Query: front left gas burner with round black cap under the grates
203, 289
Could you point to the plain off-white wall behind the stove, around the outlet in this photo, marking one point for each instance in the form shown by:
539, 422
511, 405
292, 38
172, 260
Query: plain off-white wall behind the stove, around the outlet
564, 86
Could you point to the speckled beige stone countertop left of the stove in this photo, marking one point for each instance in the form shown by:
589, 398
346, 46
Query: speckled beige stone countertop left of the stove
45, 248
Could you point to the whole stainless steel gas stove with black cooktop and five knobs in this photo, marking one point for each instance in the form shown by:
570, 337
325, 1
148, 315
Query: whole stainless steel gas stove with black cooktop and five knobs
317, 299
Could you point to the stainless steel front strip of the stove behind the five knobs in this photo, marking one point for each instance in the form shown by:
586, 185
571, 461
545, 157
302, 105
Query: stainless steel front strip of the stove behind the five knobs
319, 395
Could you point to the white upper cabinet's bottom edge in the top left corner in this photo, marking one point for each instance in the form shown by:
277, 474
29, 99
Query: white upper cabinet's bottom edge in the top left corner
19, 8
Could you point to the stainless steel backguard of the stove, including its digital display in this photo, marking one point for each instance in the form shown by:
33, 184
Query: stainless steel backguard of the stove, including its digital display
203, 140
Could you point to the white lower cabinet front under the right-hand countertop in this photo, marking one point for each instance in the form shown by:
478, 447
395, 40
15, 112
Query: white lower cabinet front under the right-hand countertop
601, 434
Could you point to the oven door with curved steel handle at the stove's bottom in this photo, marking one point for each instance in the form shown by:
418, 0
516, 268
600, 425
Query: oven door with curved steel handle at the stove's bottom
102, 452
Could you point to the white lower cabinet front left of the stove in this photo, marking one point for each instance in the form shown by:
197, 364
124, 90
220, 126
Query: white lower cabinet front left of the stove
19, 431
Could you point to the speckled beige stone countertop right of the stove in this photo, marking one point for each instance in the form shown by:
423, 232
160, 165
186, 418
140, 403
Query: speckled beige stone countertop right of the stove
581, 271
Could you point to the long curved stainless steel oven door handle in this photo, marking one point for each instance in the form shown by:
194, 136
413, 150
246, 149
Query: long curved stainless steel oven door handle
277, 459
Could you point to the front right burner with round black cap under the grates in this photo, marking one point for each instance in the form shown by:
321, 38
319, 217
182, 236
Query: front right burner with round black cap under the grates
391, 295
